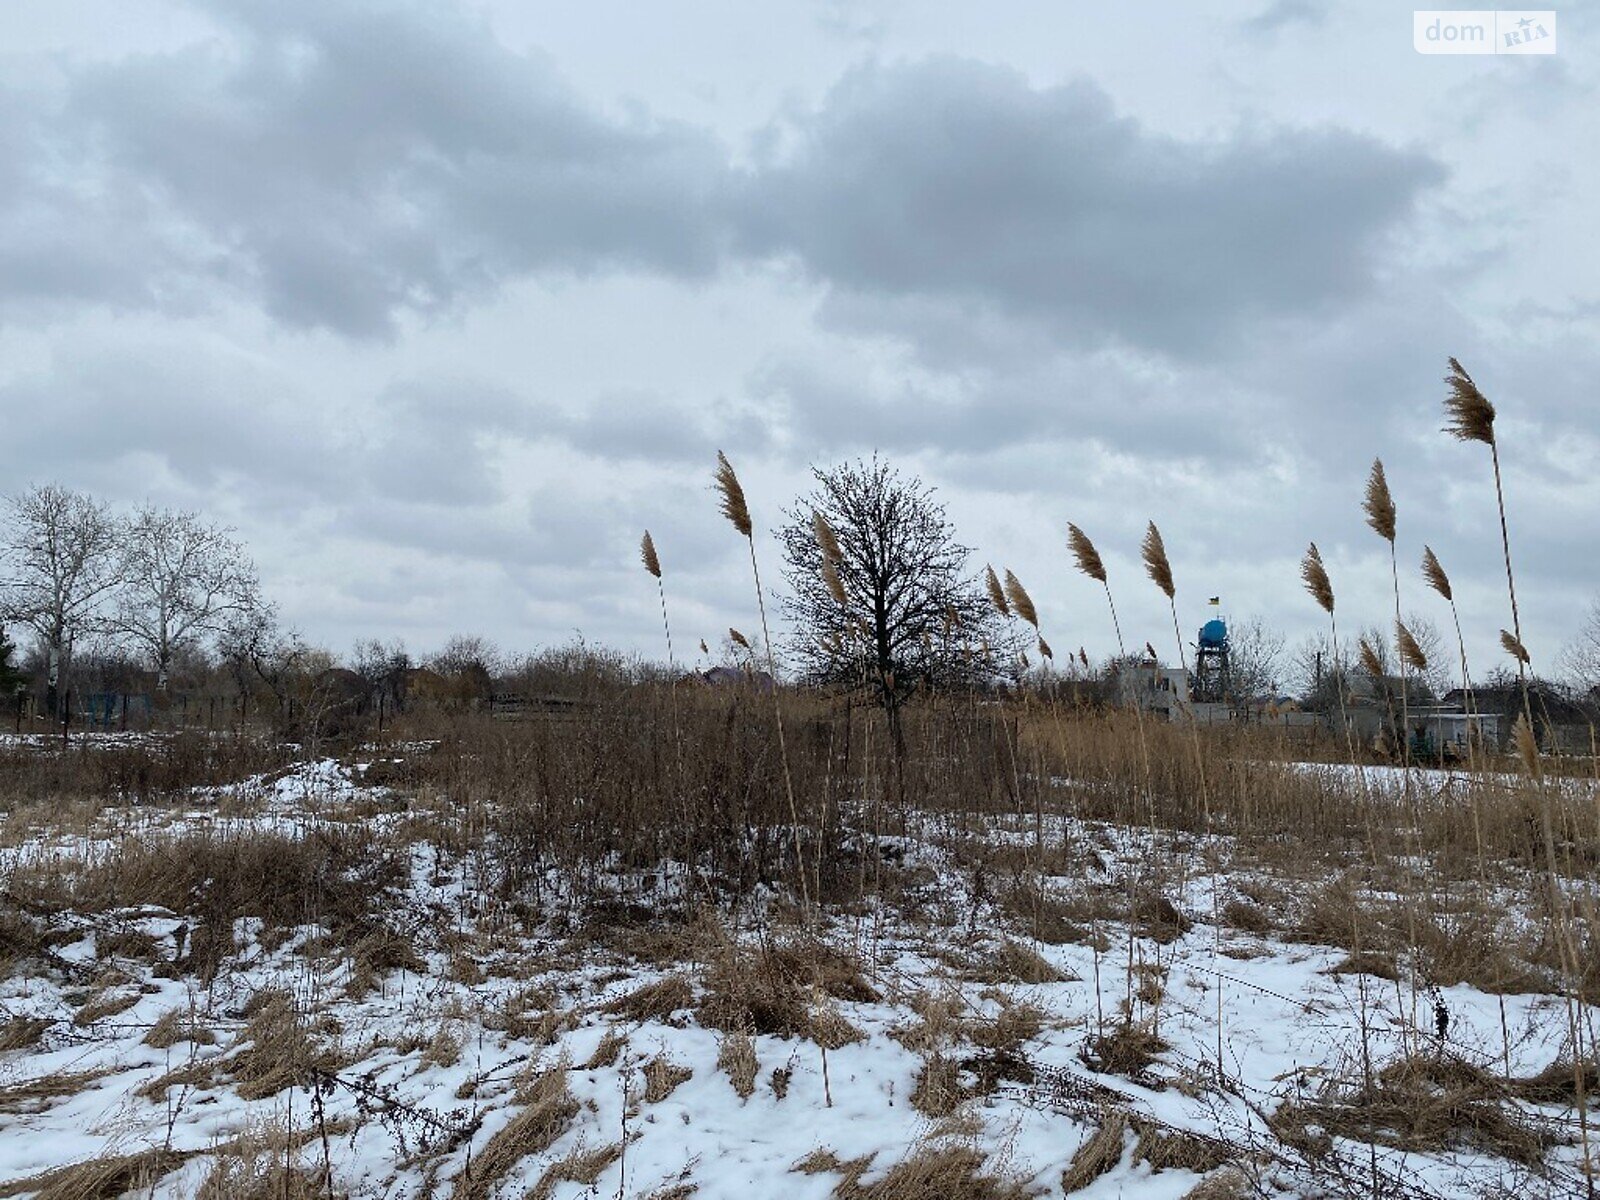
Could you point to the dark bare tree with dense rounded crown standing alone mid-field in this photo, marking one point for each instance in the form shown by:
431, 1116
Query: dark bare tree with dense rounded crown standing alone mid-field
910, 615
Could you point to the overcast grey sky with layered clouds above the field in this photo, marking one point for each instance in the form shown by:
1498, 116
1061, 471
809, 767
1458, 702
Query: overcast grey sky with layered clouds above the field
441, 305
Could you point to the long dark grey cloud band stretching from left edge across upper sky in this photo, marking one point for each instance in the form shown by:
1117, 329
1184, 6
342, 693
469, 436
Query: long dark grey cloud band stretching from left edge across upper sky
342, 166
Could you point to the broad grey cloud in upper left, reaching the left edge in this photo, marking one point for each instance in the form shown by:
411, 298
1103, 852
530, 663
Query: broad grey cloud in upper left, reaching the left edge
338, 166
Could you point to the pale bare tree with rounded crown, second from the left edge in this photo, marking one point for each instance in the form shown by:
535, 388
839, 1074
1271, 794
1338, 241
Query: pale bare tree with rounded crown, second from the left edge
183, 582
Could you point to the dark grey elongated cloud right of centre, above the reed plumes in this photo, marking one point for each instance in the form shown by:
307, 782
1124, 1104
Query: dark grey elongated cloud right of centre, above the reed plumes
958, 182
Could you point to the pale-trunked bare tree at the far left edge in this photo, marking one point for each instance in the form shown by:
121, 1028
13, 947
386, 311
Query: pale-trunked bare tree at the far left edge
65, 564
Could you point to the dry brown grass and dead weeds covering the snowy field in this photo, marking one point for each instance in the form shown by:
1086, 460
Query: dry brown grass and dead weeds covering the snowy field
330, 886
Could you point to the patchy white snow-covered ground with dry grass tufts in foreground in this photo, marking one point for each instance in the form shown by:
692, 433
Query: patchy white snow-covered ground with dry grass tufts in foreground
514, 1057
